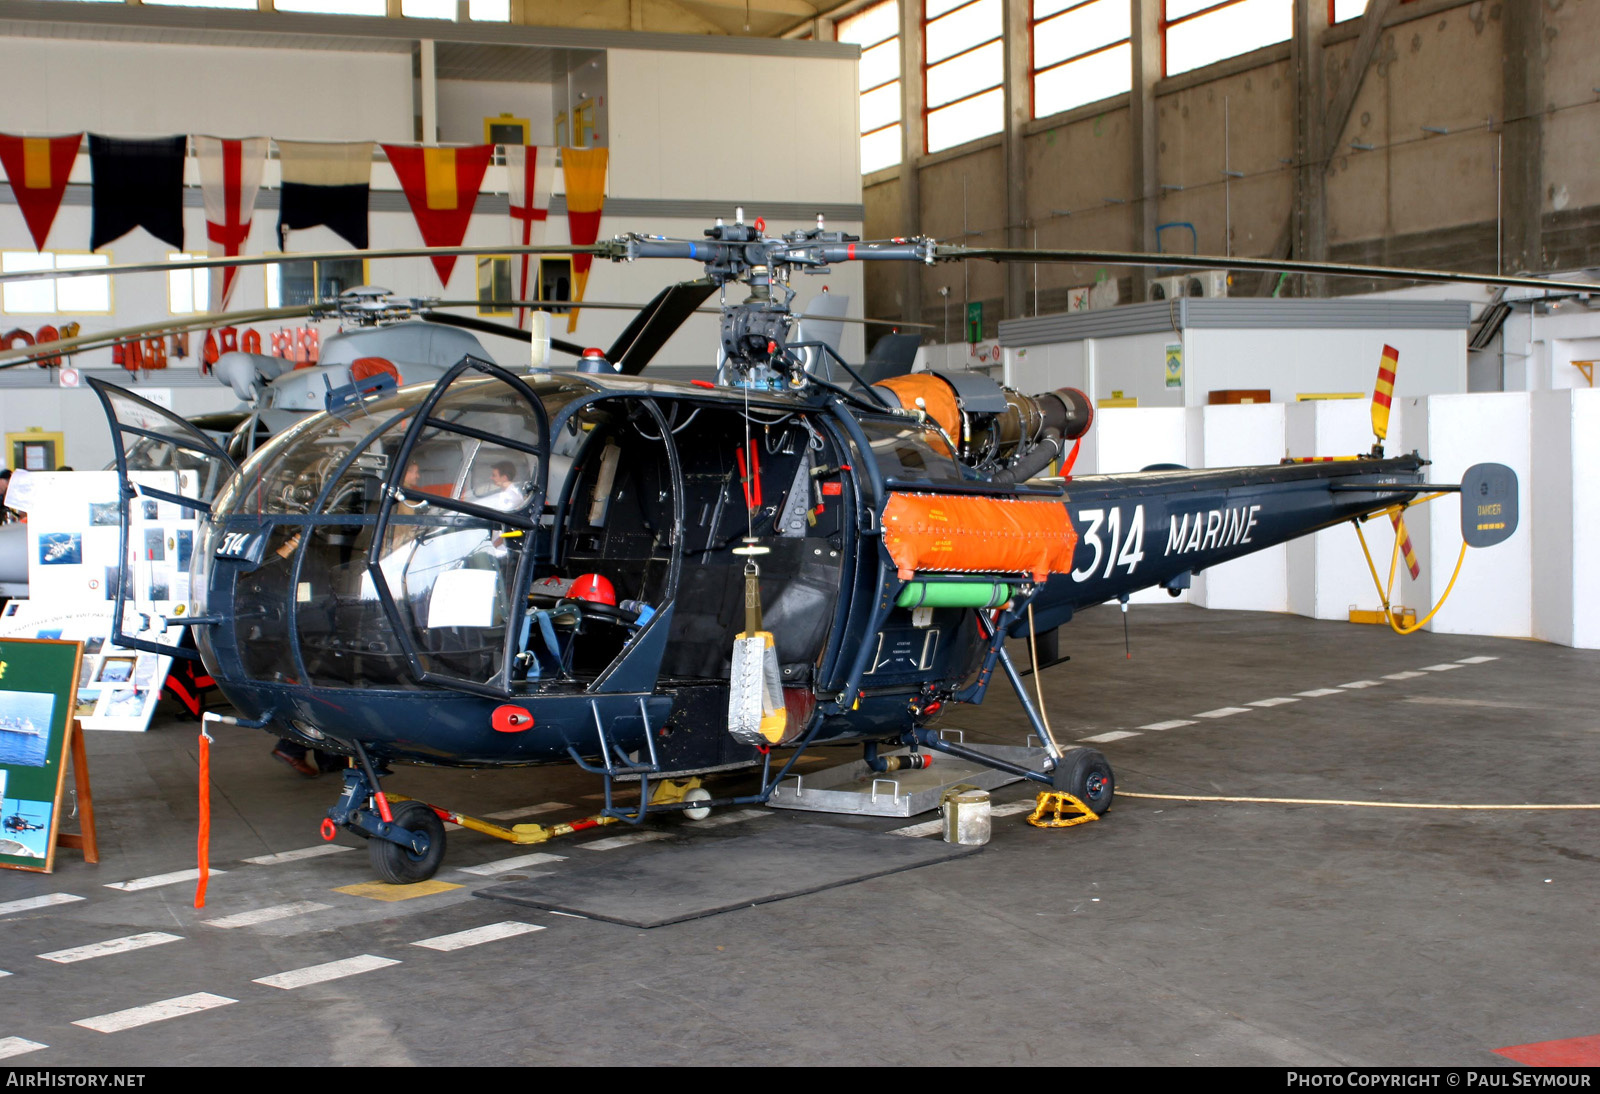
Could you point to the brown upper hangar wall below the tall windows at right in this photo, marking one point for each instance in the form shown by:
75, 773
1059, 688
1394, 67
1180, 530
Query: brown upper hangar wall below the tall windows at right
1394, 193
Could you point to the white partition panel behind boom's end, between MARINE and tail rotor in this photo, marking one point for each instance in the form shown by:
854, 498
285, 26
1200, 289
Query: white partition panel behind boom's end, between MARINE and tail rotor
1327, 572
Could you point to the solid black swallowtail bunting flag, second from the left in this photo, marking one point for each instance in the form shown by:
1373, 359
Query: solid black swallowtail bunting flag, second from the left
137, 185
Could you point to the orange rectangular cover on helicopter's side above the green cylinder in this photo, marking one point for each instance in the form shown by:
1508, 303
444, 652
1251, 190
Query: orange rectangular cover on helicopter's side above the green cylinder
978, 535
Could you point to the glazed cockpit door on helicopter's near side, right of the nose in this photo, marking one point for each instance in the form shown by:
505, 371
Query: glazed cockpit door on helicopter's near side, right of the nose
457, 533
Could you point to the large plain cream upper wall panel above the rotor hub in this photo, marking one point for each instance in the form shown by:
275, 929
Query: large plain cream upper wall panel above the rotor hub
695, 126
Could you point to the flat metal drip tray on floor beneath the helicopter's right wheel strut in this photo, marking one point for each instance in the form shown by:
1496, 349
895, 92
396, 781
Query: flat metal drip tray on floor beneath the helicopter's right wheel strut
855, 788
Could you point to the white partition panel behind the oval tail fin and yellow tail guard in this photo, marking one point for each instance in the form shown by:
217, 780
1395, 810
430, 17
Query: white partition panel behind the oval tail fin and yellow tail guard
1495, 591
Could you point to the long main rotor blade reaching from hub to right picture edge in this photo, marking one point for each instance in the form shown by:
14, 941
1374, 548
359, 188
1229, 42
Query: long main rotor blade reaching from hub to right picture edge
954, 254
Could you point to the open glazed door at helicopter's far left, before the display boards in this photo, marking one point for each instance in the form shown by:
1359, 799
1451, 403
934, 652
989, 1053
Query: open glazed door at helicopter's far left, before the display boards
172, 473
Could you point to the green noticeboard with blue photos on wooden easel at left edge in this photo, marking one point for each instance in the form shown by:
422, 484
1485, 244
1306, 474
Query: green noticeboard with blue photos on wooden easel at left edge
38, 684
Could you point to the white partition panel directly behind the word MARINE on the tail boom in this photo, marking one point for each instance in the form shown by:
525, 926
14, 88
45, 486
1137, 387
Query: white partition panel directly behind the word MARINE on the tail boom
1233, 437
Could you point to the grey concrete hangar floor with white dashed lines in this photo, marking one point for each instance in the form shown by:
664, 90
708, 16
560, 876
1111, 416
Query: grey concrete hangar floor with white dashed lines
1170, 933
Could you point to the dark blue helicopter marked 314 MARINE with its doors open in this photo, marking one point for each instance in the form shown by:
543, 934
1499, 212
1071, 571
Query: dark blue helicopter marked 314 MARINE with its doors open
657, 580
